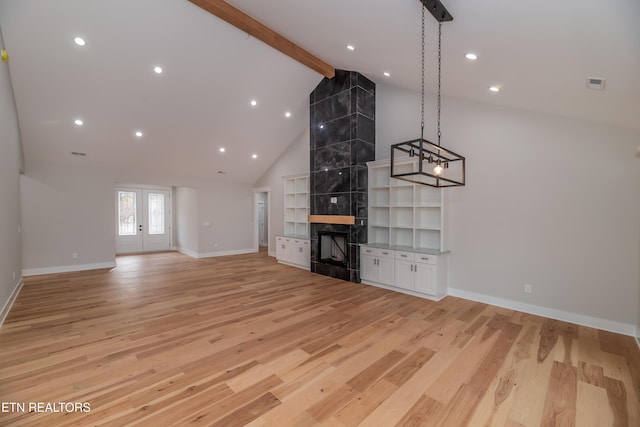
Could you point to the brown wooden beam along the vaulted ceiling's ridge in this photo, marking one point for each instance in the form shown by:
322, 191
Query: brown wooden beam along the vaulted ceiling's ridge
244, 22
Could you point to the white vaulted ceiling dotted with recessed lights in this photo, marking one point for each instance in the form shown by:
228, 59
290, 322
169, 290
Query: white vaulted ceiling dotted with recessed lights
538, 52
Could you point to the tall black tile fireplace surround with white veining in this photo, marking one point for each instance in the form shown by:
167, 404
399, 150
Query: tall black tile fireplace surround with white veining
342, 140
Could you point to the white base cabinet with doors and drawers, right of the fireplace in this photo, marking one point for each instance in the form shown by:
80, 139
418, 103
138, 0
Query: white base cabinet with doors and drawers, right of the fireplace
416, 273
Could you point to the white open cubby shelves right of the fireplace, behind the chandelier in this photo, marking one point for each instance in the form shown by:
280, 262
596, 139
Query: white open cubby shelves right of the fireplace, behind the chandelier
404, 215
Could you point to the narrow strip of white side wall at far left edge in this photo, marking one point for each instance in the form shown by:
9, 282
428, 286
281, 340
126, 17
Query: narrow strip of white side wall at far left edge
10, 163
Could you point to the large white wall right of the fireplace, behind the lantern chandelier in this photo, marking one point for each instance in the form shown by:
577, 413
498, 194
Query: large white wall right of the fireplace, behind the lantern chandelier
549, 201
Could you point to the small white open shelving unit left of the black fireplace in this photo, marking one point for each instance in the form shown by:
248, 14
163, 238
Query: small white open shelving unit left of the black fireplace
296, 206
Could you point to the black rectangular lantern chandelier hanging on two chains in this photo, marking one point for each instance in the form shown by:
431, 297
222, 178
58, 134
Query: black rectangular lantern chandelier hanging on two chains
419, 160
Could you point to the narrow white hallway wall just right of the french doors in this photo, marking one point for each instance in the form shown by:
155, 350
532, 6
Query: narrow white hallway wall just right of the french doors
186, 220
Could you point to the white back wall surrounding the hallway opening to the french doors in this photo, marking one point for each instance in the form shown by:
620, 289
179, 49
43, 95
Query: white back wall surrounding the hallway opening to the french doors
71, 209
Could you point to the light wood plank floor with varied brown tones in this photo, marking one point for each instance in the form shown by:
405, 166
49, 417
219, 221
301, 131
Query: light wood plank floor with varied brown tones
165, 339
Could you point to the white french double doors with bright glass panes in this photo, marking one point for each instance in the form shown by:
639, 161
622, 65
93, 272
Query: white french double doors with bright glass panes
143, 219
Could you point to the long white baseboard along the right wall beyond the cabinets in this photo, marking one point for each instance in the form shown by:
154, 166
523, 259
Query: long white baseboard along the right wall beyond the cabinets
565, 316
